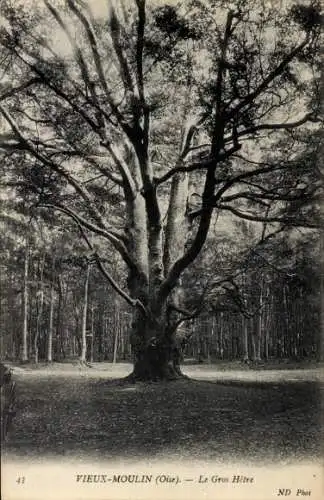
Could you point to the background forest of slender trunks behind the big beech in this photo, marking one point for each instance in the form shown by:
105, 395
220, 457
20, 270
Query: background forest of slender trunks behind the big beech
65, 309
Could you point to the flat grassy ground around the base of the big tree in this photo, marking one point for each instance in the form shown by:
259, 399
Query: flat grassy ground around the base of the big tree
220, 414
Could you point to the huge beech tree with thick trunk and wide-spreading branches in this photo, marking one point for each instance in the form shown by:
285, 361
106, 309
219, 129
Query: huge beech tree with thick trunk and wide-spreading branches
141, 119
